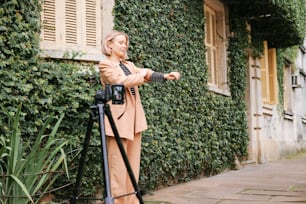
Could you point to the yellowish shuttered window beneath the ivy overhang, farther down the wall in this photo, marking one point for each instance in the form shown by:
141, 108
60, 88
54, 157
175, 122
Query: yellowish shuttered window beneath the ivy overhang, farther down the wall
269, 75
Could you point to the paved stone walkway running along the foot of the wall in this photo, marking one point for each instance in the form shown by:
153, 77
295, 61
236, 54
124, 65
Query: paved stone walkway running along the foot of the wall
282, 181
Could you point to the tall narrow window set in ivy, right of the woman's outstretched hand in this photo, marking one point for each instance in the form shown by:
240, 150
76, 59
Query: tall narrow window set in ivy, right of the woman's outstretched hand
215, 42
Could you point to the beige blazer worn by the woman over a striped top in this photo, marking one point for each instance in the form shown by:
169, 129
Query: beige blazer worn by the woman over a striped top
129, 117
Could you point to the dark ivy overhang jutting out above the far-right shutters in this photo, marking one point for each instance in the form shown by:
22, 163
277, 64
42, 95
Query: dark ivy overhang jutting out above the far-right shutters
281, 22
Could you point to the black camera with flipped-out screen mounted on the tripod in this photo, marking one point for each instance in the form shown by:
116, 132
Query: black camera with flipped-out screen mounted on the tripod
113, 92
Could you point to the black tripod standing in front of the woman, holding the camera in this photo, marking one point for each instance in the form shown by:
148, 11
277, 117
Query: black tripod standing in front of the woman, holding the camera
97, 113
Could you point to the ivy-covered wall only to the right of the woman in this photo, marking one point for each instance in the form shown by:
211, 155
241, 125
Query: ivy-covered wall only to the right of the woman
191, 130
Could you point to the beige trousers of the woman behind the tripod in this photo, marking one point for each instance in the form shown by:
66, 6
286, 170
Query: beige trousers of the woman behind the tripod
119, 178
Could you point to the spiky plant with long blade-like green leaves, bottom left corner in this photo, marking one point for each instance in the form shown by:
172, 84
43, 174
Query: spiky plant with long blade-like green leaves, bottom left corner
27, 170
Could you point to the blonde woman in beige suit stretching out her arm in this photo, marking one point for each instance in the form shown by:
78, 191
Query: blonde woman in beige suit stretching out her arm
129, 117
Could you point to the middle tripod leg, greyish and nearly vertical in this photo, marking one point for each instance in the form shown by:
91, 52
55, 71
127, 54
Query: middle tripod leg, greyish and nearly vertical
108, 198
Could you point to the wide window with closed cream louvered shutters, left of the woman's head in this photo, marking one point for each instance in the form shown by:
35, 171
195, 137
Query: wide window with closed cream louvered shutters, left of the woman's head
71, 26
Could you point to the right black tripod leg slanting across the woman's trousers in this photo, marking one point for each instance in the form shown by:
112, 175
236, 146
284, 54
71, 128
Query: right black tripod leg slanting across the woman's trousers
123, 153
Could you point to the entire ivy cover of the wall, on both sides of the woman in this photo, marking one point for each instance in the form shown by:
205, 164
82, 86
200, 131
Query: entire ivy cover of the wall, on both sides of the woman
192, 132
